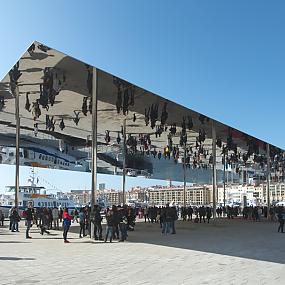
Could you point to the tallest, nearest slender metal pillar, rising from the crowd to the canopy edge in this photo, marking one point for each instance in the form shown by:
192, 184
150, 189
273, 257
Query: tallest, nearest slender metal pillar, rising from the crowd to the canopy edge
94, 147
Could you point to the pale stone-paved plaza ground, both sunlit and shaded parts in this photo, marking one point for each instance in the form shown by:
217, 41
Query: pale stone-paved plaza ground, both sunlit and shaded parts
227, 252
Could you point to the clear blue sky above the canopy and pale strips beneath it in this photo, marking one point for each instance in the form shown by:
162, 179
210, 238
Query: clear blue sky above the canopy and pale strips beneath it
222, 58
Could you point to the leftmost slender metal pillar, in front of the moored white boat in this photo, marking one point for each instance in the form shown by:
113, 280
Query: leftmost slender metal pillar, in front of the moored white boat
17, 118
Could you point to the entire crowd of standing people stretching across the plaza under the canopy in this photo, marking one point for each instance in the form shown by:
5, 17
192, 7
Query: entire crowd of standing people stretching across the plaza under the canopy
121, 219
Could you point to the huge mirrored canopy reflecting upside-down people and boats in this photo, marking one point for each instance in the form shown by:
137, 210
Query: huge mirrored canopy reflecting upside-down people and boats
55, 95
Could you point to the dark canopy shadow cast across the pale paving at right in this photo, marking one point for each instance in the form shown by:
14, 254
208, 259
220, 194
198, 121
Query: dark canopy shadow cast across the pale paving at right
238, 238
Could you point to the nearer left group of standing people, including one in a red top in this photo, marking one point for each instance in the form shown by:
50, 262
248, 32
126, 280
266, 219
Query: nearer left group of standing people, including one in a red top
119, 220
